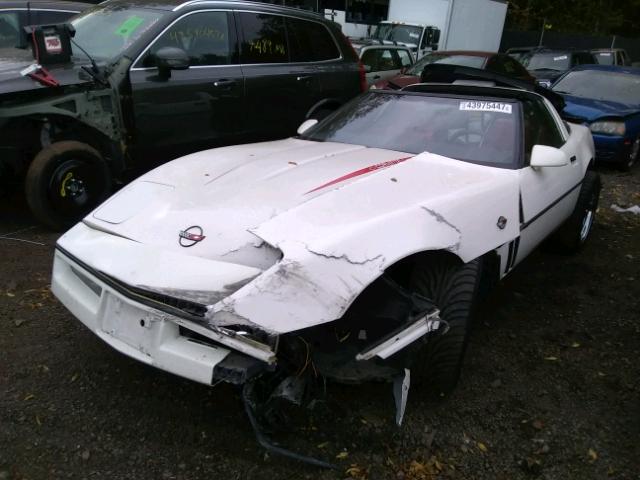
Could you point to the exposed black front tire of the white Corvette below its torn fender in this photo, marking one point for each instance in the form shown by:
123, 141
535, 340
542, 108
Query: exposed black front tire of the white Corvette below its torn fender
453, 289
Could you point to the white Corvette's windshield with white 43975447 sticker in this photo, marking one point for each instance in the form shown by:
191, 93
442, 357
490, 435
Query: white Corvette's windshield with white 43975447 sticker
476, 130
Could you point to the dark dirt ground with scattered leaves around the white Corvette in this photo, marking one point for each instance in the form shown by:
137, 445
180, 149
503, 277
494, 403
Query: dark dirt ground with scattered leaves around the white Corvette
550, 390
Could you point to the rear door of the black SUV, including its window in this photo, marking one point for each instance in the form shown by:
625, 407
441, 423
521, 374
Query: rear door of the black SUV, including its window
278, 92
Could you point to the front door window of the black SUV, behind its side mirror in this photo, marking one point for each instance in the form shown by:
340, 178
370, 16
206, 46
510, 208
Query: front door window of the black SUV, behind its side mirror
207, 37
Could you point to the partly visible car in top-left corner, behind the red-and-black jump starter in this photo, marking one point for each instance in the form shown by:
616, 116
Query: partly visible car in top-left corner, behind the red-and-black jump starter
16, 14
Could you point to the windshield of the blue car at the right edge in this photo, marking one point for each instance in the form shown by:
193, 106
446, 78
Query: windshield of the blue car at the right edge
607, 86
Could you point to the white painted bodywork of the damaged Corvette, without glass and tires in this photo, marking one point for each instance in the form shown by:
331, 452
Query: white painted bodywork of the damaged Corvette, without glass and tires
293, 232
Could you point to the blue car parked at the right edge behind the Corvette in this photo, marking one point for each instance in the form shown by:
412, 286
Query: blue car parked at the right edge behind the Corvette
607, 99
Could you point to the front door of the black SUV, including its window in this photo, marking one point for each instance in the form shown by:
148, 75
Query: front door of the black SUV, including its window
196, 108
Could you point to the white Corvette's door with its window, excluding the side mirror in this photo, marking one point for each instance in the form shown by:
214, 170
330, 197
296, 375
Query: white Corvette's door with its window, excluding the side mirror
547, 195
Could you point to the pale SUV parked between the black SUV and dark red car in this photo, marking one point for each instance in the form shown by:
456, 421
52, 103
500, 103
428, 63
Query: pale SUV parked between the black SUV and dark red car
382, 62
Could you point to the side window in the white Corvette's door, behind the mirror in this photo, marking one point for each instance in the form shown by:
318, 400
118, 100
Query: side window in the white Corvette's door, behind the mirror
540, 127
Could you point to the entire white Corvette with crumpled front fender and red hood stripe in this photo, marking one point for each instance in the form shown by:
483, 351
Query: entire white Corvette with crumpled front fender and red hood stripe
353, 251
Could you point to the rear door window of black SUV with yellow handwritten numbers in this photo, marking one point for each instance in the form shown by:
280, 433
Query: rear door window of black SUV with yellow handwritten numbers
264, 39
